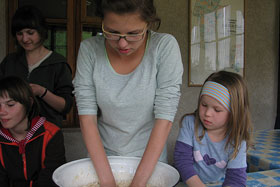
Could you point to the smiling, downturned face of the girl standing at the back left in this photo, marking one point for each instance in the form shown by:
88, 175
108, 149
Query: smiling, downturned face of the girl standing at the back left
29, 39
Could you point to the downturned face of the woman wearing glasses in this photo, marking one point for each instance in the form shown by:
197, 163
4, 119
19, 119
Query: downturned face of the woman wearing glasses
127, 24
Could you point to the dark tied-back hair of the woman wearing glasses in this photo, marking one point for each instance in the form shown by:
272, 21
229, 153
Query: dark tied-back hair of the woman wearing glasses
146, 9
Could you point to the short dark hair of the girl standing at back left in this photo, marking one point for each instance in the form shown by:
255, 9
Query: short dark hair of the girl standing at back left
29, 17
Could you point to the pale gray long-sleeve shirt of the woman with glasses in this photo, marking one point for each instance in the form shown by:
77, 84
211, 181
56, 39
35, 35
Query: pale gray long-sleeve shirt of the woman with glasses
129, 104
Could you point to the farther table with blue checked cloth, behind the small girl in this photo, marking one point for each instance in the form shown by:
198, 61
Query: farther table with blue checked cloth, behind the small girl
266, 153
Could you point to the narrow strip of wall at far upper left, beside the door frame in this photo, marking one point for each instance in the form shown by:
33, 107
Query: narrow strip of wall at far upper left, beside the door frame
2, 30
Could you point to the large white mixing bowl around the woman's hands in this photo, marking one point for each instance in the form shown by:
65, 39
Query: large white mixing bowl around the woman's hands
81, 173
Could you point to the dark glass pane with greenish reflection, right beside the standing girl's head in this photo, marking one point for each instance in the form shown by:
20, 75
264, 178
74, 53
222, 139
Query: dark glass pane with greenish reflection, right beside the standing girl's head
57, 40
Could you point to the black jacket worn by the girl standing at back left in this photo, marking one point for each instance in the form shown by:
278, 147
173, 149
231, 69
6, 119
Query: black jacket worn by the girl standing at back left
53, 73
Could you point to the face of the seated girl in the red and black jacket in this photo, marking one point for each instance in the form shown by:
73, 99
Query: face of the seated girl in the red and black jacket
12, 115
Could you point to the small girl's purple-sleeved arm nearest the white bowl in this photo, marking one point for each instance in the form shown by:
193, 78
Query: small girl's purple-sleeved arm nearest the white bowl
183, 160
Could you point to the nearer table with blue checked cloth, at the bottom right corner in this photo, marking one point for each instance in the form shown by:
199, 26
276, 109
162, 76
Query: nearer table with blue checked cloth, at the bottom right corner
269, 178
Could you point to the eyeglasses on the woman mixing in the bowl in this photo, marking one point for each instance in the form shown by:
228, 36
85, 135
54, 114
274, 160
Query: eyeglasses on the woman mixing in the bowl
127, 37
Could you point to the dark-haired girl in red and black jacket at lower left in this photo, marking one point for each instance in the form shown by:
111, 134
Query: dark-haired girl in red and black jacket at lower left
31, 148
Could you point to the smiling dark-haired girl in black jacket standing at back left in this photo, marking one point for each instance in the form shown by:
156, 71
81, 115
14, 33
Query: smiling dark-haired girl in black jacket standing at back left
48, 73
